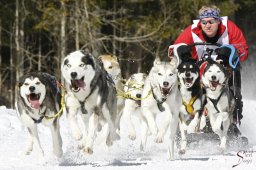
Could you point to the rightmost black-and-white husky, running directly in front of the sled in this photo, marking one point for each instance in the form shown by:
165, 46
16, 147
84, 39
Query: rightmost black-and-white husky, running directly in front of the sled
220, 102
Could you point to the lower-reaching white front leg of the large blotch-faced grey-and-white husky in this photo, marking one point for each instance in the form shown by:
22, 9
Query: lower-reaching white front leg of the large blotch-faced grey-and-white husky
93, 125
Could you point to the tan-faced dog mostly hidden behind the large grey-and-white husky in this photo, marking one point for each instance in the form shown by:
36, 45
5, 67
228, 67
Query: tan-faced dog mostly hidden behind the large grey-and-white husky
112, 66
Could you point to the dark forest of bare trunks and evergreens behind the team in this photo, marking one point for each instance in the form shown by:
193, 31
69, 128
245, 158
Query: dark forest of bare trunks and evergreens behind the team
35, 35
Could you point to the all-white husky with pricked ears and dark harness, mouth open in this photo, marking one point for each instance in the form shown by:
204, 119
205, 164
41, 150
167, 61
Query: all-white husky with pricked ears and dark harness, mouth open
162, 82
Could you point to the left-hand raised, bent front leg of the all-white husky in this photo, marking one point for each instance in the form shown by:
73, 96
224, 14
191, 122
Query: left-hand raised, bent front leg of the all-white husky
150, 120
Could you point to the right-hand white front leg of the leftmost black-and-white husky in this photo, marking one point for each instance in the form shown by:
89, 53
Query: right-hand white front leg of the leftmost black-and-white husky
56, 138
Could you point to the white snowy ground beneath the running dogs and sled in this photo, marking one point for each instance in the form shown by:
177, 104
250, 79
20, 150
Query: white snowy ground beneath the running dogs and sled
124, 154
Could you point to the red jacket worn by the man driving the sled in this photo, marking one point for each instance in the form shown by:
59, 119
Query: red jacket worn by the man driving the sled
235, 37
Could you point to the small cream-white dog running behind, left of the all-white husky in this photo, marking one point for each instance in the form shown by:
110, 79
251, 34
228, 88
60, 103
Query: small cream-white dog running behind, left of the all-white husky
133, 90
